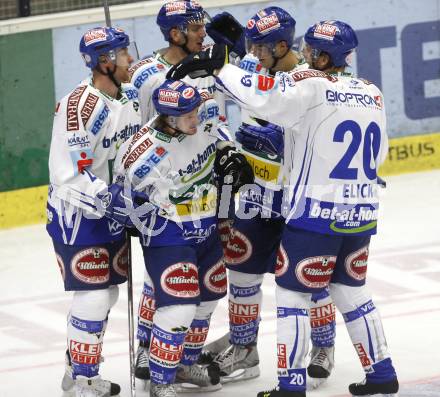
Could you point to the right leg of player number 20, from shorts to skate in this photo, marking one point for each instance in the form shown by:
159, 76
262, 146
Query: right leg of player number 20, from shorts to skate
362, 319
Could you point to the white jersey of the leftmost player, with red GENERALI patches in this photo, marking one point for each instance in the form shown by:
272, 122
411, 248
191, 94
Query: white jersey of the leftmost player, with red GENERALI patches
88, 128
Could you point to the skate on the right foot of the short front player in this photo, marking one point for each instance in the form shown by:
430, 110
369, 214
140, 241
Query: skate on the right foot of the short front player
197, 379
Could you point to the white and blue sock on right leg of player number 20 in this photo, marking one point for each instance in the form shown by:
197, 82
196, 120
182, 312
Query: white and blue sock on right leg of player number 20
364, 326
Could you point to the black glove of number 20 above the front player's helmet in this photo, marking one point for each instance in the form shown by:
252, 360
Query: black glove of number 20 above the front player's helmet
200, 64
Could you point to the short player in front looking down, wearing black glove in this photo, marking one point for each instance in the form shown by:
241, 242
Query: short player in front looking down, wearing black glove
182, 250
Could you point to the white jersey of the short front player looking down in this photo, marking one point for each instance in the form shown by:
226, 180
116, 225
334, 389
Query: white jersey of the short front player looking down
176, 174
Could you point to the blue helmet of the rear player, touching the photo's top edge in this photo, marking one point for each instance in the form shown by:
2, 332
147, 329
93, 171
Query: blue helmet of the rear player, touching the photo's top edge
179, 14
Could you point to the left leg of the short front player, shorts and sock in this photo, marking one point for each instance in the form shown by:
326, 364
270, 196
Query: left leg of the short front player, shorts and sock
174, 276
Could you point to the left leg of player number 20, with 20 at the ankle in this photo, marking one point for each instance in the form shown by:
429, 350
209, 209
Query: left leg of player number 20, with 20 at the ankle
306, 263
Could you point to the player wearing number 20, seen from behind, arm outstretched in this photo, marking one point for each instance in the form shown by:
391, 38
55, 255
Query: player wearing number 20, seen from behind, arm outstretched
335, 141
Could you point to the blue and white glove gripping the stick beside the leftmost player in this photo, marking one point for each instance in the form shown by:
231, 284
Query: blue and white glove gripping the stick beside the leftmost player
118, 203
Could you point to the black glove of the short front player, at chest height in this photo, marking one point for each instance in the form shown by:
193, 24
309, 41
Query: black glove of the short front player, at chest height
232, 168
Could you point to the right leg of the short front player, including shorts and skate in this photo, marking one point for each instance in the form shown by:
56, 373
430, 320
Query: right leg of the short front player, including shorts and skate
213, 285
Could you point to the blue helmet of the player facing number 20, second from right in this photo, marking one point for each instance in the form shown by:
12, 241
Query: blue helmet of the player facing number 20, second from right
269, 26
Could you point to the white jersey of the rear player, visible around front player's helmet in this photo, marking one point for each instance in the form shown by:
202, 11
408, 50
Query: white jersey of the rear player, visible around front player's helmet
149, 73
